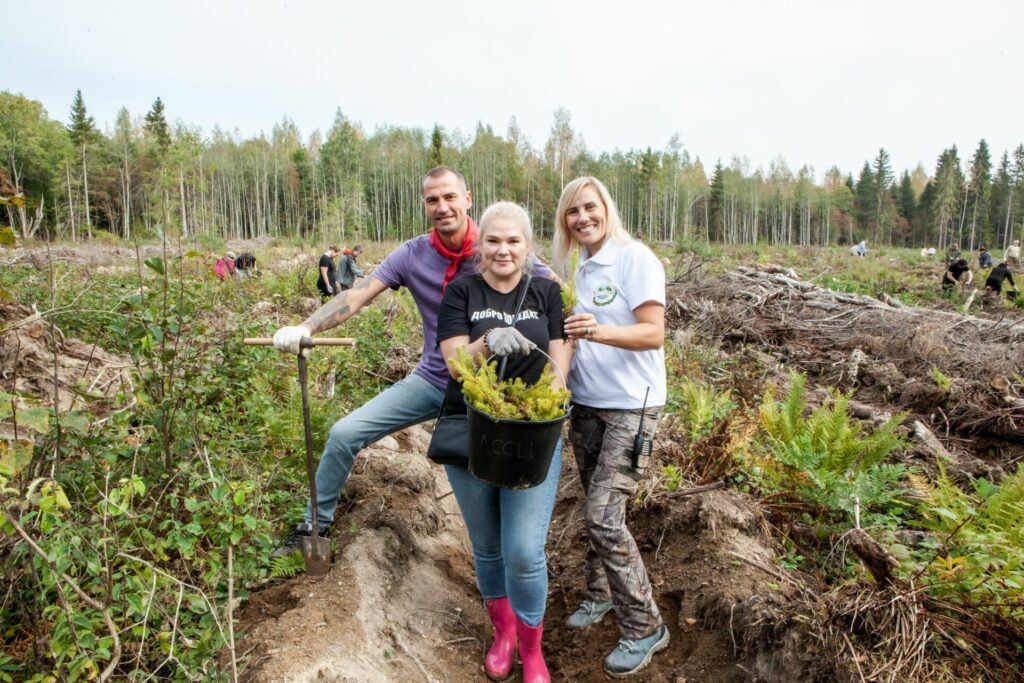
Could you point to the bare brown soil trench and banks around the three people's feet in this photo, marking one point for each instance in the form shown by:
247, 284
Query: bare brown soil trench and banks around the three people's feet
401, 603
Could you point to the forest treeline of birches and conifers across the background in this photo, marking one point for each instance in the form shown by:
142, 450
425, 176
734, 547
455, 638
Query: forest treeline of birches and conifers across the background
145, 174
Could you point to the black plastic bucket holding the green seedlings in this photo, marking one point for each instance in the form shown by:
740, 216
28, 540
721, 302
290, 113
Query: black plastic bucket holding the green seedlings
511, 454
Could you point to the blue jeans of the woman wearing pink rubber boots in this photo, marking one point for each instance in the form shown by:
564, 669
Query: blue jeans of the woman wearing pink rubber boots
508, 530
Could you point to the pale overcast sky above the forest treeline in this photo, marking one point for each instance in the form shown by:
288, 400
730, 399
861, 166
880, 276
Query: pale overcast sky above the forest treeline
820, 83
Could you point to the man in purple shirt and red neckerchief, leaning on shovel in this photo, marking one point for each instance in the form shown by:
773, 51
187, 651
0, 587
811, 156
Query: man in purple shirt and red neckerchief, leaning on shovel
425, 266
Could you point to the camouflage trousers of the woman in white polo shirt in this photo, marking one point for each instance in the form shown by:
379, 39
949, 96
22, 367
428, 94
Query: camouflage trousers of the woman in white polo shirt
603, 444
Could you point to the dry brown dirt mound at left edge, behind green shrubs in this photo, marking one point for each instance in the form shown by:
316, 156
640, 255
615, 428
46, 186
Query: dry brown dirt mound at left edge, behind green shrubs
38, 361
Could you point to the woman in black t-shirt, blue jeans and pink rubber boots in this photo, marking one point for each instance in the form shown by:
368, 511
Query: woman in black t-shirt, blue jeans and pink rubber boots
478, 314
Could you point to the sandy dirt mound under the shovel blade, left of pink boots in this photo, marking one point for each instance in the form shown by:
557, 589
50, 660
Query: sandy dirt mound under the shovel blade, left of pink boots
399, 605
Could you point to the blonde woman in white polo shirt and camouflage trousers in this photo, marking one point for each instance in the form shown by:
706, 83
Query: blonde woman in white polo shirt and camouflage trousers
618, 375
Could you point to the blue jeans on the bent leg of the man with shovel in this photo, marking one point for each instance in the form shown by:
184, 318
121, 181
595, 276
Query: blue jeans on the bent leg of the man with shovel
406, 403
